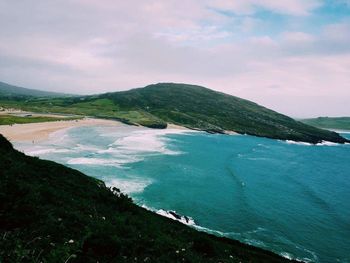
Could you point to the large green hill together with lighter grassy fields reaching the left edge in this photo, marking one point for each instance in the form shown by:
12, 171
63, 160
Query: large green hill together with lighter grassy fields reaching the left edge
192, 106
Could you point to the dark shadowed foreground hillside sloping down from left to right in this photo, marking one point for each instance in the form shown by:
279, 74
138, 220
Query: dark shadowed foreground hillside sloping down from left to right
51, 213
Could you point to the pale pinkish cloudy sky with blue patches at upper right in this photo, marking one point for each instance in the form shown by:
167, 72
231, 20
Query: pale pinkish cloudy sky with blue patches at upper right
292, 56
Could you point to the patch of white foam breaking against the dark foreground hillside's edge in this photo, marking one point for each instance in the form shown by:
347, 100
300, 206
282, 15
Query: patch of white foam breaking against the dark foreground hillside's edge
129, 185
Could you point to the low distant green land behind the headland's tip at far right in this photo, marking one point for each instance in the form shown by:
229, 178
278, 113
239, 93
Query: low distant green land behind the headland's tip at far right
339, 123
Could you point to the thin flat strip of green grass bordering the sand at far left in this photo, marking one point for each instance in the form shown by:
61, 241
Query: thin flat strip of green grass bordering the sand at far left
12, 119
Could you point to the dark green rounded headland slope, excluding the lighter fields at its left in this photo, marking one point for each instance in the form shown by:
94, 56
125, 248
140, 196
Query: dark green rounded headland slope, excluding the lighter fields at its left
205, 109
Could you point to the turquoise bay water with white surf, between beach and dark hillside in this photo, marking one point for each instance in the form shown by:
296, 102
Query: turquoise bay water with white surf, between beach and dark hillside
292, 199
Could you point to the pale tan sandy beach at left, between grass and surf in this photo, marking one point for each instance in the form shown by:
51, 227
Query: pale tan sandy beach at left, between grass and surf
41, 130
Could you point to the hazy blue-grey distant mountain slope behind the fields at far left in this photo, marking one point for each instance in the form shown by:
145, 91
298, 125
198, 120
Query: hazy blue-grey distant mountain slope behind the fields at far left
10, 91
